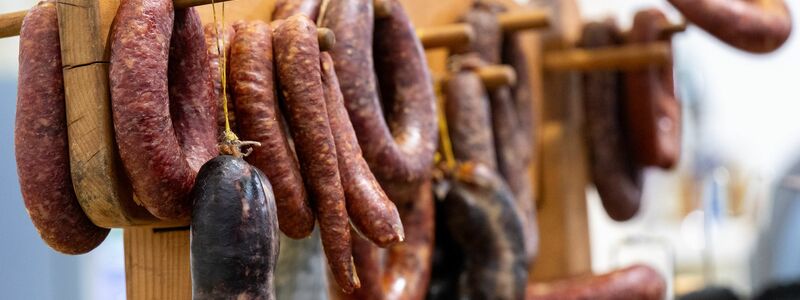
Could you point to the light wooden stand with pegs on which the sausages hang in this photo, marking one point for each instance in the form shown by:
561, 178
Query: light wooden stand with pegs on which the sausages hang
157, 253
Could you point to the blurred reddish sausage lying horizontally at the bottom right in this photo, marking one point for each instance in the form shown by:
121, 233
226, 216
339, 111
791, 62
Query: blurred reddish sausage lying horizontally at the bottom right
635, 282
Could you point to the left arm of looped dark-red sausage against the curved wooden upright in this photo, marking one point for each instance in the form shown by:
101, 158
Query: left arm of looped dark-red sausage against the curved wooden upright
159, 172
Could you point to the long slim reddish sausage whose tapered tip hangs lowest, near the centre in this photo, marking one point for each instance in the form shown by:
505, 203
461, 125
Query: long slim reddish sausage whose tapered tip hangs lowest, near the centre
297, 55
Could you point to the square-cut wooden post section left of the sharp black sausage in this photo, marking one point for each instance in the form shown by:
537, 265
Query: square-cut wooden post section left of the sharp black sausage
157, 264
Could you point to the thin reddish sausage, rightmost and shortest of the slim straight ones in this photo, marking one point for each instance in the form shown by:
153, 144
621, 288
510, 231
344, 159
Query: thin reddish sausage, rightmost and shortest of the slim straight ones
371, 211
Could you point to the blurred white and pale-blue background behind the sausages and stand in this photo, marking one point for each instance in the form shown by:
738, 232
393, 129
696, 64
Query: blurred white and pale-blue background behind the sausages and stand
728, 216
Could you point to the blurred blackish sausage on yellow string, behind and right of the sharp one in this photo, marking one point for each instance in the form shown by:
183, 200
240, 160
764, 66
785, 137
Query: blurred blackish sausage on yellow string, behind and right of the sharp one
482, 219
